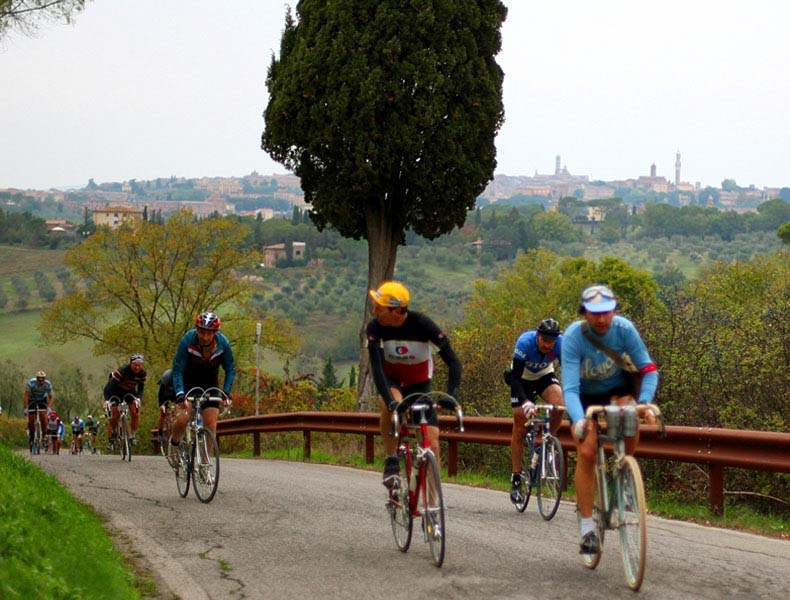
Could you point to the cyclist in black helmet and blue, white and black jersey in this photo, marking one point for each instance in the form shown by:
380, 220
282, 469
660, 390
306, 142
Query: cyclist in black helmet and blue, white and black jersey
532, 375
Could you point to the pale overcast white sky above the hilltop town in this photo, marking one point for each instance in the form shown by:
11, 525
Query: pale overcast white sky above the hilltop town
139, 89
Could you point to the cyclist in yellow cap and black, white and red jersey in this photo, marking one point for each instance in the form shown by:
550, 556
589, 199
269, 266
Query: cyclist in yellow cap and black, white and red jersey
400, 350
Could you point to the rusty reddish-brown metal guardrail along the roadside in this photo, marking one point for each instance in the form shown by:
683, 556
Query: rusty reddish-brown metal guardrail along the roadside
716, 448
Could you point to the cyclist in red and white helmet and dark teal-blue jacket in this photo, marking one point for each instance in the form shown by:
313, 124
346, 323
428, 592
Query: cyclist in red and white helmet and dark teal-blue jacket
200, 354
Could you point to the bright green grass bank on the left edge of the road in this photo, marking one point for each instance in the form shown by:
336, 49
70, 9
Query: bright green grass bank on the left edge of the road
47, 538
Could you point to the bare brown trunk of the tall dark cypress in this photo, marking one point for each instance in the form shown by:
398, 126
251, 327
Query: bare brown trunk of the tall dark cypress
384, 236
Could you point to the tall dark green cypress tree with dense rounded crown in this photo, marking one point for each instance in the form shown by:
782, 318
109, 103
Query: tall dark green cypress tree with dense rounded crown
387, 111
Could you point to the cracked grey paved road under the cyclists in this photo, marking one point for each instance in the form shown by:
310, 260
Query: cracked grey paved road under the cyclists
293, 530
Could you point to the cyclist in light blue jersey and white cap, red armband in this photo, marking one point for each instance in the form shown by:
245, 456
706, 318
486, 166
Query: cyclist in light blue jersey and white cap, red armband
590, 376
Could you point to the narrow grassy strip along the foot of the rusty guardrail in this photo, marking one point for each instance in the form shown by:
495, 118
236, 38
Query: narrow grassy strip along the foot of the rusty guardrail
735, 516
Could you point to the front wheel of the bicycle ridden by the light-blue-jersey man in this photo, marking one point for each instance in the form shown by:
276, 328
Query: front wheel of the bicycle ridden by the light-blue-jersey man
632, 517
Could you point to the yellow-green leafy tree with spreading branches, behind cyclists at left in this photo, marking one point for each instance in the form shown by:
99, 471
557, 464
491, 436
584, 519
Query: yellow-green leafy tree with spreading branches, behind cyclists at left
143, 285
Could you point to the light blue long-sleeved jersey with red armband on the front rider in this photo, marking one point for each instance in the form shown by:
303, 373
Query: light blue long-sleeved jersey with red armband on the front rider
588, 370
